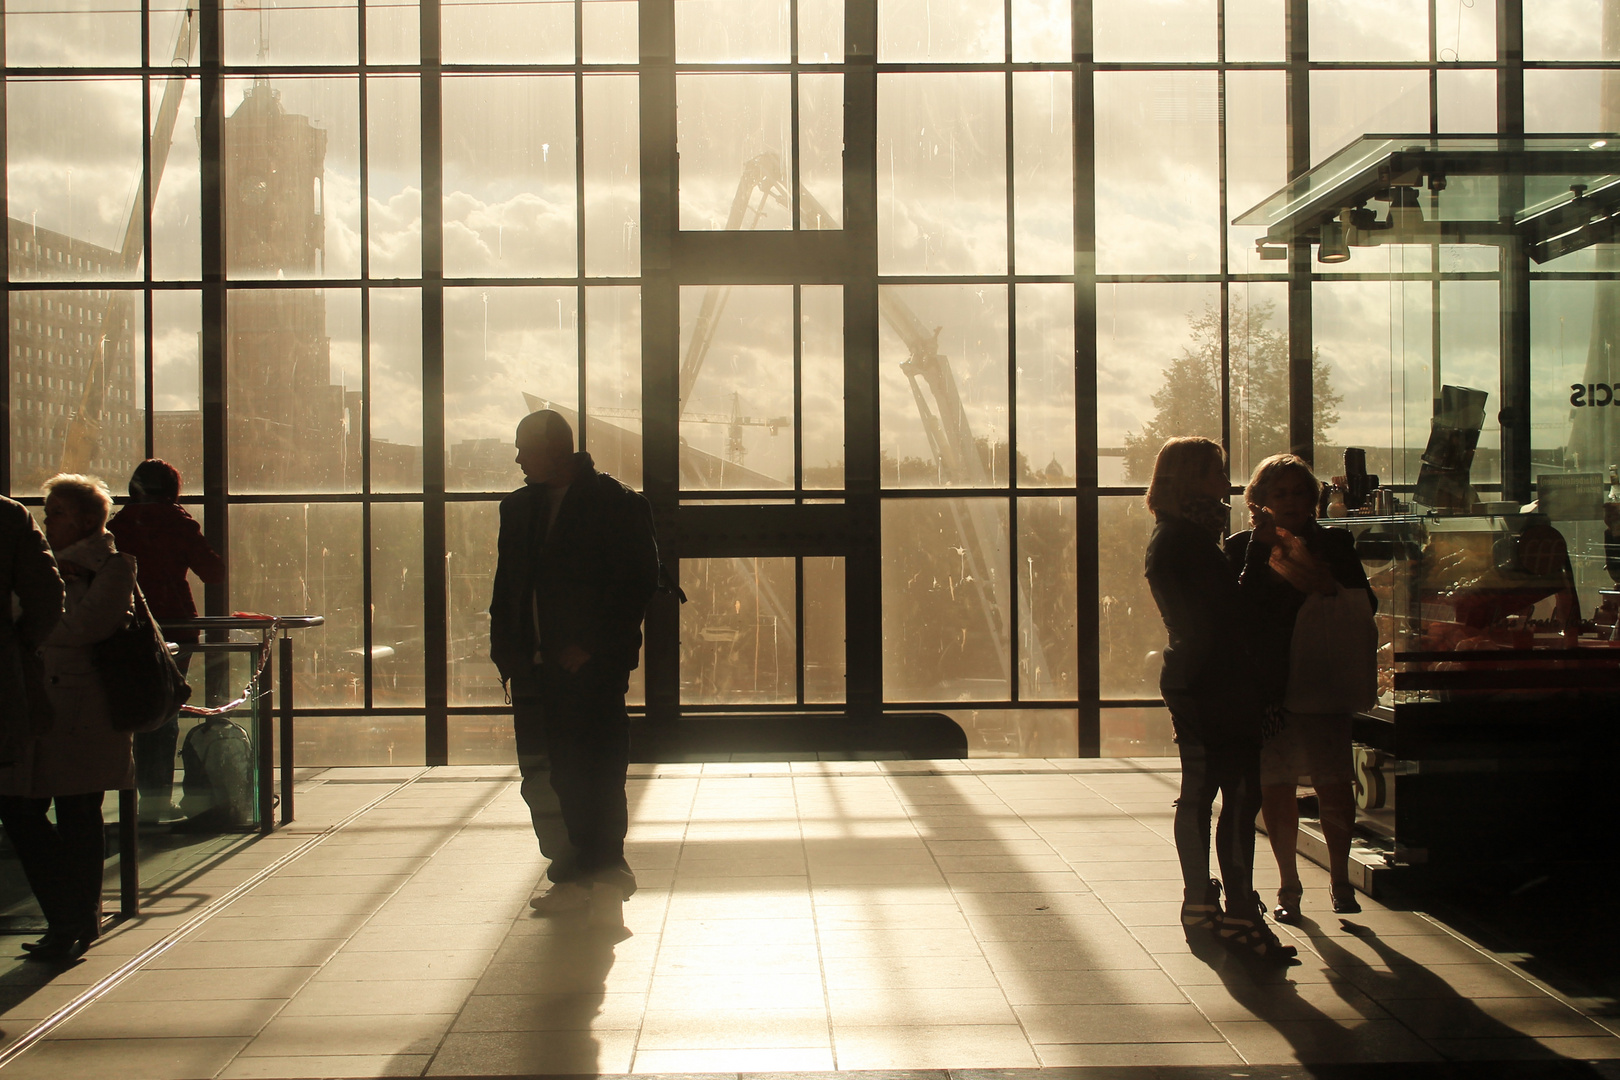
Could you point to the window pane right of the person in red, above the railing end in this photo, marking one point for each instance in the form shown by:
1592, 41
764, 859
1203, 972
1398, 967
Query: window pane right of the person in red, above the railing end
305, 561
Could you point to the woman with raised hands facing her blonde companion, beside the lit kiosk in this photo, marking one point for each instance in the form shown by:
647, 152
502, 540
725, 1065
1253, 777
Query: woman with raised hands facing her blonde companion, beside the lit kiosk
1282, 561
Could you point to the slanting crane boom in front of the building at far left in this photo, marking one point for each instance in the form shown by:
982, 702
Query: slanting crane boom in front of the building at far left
82, 444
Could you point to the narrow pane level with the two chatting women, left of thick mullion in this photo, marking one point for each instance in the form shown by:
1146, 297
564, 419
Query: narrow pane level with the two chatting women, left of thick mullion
1049, 632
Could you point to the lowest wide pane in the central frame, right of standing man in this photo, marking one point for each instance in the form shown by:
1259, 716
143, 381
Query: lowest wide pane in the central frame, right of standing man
738, 632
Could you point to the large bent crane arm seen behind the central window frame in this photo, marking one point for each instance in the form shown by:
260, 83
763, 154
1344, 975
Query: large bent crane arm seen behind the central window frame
936, 393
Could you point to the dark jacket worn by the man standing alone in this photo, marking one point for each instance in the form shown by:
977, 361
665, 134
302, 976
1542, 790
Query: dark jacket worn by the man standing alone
590, 580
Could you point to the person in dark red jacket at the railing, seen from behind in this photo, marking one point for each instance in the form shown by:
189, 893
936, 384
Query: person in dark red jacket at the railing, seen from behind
166, 542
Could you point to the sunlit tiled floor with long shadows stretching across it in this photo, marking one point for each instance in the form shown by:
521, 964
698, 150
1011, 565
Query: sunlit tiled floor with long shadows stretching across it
791, 919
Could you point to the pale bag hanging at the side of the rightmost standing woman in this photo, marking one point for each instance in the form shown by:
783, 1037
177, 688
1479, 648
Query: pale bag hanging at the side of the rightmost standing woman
1332, 660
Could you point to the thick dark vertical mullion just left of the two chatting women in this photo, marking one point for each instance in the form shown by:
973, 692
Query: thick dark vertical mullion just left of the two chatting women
1086, 503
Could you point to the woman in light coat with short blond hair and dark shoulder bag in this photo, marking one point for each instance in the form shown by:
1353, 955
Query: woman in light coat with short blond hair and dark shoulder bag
80, 757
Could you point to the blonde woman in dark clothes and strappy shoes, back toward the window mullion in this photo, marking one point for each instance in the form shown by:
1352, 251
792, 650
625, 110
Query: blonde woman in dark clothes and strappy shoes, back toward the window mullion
1209, 687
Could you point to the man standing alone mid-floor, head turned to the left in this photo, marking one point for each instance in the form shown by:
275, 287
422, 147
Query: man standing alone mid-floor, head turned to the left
576, 569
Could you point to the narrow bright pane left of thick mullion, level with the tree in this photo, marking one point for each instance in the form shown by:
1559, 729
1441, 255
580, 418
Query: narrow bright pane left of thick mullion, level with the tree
1046, 385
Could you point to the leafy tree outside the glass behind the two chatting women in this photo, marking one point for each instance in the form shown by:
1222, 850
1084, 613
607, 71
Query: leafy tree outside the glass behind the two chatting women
1190, 401
